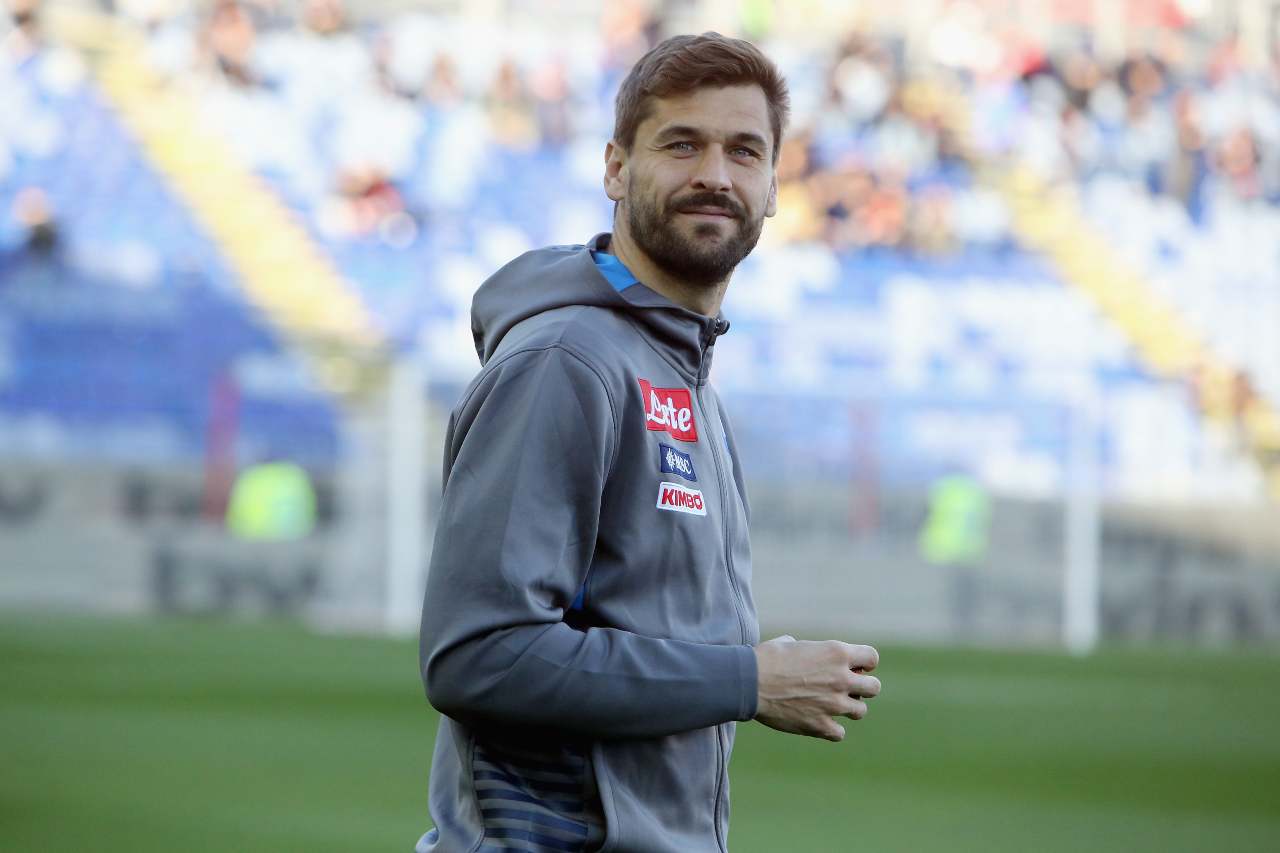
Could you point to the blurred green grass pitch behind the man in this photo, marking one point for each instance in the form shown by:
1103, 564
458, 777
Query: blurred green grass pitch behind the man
202, 736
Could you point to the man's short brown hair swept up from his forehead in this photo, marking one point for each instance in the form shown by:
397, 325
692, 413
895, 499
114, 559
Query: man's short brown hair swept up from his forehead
685, 63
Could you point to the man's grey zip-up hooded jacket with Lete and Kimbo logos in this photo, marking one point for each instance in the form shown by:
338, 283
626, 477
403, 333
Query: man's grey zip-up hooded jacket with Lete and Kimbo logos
588, 623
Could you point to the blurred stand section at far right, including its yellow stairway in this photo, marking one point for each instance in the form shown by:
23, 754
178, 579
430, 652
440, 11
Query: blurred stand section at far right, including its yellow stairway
1174, 159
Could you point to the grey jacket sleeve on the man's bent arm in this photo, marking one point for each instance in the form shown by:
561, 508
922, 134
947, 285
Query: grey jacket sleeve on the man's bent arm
532, 449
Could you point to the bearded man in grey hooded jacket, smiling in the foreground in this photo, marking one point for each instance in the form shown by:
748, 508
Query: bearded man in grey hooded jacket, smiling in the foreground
588, 631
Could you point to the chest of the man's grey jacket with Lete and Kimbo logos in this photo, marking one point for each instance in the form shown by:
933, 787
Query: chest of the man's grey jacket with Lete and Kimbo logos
674, 550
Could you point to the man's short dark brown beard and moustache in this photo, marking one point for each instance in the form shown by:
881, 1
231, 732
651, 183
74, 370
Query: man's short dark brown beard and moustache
706, 259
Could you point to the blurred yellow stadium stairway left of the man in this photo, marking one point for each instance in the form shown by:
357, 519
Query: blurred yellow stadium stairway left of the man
287, 277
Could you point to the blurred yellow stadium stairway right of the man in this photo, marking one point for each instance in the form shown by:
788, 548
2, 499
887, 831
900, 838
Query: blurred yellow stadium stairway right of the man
1049, 220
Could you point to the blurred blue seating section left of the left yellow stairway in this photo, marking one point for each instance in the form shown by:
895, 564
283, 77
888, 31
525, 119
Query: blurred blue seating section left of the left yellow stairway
121, 321
